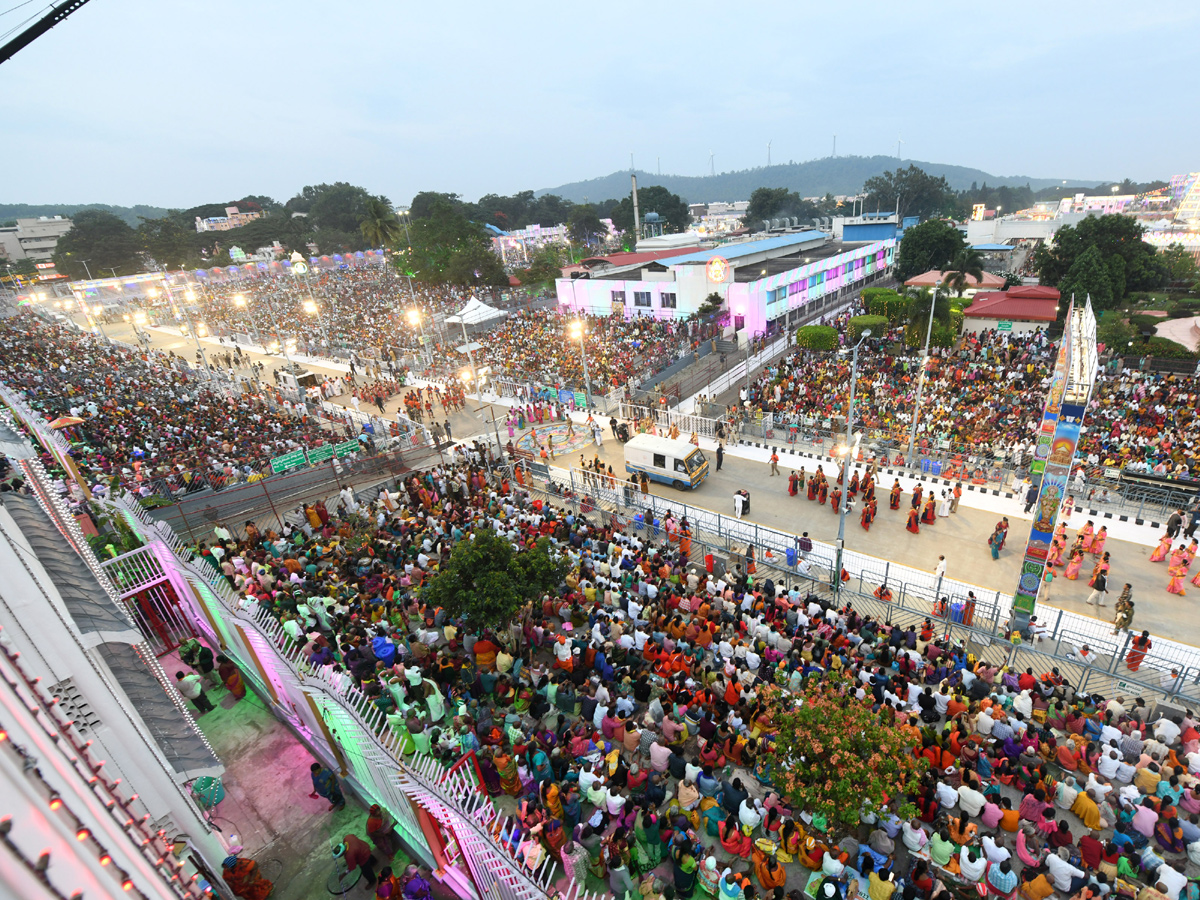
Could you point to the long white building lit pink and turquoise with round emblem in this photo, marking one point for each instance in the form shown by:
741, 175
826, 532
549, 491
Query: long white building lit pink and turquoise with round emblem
767, 285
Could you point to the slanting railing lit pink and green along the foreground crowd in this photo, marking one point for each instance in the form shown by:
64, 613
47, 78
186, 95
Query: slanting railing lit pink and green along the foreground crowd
477, 836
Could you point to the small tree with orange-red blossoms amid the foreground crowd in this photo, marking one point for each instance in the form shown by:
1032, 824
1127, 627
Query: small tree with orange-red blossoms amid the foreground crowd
835, 757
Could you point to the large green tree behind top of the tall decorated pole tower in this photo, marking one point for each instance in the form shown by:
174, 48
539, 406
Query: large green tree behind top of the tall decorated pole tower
1114, 236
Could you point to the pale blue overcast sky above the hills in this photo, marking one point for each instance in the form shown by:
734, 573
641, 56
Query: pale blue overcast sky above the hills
189, 103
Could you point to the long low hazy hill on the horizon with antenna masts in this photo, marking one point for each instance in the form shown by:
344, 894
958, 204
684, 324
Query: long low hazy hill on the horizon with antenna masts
815, 178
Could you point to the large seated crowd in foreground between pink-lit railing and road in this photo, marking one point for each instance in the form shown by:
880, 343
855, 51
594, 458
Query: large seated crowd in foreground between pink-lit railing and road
625, 713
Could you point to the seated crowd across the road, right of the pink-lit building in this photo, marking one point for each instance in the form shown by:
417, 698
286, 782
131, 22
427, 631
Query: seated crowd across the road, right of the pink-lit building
985, 398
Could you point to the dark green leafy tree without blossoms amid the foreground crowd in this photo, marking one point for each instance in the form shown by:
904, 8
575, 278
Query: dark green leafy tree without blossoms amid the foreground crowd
487, 581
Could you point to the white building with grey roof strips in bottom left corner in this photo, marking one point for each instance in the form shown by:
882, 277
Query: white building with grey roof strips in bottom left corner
116, 747
